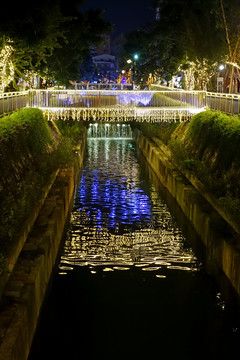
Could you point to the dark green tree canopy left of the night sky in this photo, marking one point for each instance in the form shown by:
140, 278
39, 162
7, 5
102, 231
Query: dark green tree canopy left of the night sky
50, 37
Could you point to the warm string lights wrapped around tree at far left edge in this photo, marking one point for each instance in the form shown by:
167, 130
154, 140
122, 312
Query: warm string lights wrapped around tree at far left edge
6, 66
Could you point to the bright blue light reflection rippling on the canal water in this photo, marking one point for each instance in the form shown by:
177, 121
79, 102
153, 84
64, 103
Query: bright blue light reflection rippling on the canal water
110, 202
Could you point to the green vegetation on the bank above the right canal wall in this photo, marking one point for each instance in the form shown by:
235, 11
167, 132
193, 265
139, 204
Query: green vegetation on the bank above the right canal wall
208, 148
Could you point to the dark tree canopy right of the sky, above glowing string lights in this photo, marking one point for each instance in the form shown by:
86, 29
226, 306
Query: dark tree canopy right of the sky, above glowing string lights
189, 35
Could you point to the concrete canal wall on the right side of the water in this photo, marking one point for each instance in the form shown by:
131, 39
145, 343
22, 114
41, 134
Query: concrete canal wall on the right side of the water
221, 242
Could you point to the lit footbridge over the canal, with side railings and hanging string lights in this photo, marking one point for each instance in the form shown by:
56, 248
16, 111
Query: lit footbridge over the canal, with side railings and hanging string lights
120, 105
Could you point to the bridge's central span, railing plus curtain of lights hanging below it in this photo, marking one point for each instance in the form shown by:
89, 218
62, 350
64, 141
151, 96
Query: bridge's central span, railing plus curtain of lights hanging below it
122, 106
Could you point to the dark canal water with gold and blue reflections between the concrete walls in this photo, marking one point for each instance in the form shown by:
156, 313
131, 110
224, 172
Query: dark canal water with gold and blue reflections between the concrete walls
129, 284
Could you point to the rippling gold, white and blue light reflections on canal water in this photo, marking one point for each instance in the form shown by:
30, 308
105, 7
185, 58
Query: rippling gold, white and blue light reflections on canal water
119, 220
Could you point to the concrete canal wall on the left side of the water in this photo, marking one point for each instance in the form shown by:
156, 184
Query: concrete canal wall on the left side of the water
26, 288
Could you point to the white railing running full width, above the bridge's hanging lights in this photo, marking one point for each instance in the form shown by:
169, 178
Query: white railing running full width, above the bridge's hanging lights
166, 100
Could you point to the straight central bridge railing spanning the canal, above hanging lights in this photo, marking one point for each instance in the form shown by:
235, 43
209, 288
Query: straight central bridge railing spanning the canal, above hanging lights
115, 98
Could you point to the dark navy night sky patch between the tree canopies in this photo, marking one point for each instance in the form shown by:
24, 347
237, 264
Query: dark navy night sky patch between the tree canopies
127, 15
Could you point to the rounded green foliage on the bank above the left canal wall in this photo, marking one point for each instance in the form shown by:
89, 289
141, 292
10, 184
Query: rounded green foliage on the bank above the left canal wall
25, 147
